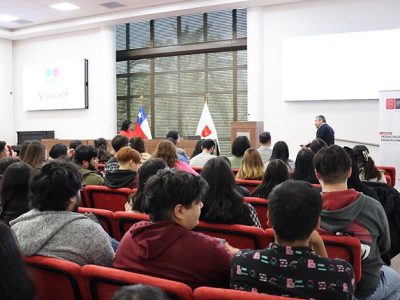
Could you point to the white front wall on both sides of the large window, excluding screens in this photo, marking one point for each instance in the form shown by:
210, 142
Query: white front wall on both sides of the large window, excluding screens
292, 122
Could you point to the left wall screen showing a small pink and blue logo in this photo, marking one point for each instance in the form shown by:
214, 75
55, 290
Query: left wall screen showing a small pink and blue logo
56, 85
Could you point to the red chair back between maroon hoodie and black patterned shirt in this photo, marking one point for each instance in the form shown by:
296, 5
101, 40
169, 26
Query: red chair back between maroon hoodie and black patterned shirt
239, 236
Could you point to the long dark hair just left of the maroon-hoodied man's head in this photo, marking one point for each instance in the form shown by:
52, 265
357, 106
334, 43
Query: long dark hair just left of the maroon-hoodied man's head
147, 169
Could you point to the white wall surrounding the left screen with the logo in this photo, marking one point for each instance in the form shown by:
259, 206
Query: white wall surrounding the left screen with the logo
98, 46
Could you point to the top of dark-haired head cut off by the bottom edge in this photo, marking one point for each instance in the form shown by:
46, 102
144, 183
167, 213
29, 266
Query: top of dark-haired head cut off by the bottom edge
139, 292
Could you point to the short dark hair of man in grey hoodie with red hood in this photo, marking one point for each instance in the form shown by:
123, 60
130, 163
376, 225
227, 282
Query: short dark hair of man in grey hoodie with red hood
332, 164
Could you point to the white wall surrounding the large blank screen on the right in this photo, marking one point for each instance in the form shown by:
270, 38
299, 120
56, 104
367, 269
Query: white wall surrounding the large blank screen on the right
294, 121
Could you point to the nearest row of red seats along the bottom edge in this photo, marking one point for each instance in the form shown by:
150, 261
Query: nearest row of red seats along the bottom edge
65, 280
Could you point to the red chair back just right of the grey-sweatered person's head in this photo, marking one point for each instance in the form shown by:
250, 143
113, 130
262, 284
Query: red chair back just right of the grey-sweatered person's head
97, 196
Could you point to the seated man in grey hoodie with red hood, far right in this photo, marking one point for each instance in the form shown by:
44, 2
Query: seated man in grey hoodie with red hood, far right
350, 212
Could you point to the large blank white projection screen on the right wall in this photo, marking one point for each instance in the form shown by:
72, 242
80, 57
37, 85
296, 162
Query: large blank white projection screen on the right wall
344, 66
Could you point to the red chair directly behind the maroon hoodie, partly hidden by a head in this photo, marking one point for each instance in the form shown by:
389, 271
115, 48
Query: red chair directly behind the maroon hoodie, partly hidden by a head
102, 283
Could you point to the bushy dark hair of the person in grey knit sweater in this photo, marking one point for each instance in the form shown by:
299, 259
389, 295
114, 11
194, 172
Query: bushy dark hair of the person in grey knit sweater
53, 184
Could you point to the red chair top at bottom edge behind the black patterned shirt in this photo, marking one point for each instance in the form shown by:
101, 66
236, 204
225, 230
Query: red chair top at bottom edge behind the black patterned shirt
208, 293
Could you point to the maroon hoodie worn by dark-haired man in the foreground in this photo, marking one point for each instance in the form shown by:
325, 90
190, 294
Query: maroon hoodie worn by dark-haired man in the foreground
168, 250
